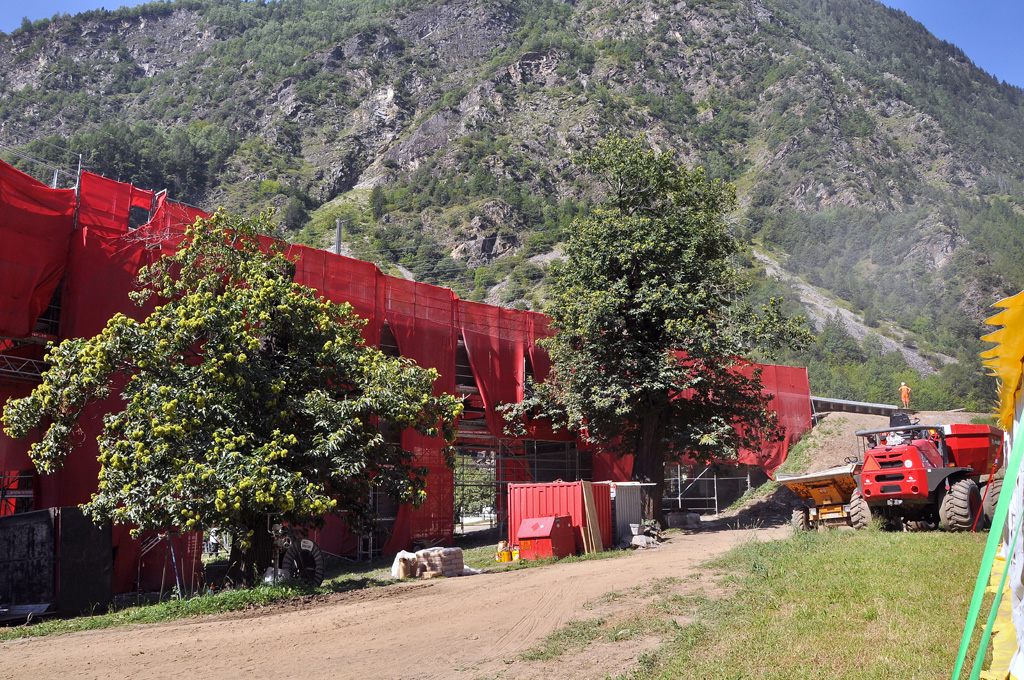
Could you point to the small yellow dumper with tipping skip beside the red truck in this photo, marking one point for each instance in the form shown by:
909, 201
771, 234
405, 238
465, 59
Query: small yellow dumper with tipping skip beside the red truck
831, 498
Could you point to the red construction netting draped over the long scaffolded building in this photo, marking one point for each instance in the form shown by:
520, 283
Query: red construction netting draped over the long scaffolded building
101, 262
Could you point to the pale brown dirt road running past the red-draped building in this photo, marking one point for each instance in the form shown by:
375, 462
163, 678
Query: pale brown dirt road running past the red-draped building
471, 627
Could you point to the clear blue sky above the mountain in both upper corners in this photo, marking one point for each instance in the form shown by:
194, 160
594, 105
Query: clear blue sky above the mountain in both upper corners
990, 32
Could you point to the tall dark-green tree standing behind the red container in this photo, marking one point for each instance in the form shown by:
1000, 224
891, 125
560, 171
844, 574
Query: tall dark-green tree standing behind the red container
651, 332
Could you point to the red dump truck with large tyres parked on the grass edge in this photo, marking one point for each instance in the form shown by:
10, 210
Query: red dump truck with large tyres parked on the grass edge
922, 477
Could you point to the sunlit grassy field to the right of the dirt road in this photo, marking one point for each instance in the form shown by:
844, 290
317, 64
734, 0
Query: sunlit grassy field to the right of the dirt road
837, 605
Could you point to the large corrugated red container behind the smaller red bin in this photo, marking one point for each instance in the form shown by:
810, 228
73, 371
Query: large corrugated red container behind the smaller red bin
558, 499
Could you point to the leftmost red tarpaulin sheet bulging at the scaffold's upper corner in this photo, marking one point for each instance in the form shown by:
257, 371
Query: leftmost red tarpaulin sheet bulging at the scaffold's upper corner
35, 229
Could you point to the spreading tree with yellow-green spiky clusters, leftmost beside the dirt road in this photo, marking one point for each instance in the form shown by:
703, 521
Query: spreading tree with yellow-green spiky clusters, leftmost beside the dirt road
245, 396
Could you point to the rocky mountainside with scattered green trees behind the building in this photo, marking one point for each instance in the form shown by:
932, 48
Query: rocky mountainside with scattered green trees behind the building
873, 161
